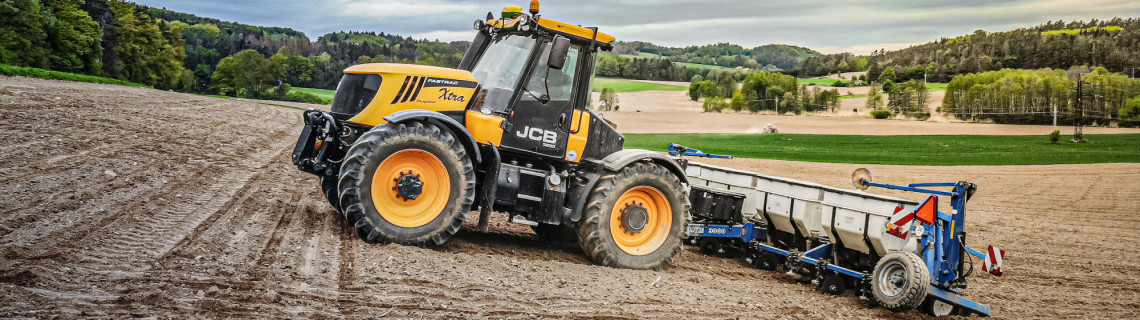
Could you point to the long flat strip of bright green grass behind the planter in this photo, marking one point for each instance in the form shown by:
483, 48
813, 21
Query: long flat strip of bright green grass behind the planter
906, 150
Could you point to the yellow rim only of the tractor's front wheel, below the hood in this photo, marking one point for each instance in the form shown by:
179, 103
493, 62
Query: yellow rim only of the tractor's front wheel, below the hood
424, 209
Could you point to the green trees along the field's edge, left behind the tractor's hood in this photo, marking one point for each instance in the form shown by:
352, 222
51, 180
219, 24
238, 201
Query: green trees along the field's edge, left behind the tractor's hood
181, 52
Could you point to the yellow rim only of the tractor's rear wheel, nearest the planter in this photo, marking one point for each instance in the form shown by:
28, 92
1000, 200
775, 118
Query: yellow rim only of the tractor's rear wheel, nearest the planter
648, 233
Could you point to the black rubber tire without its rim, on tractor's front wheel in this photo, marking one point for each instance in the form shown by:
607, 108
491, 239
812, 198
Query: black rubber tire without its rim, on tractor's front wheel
370, 153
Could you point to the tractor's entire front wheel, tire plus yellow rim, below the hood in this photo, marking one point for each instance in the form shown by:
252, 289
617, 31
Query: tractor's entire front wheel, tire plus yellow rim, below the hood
381, 166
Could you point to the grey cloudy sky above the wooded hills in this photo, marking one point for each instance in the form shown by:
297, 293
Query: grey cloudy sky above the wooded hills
858, 27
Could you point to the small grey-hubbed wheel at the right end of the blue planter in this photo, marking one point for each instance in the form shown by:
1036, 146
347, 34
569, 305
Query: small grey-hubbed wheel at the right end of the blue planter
900, 282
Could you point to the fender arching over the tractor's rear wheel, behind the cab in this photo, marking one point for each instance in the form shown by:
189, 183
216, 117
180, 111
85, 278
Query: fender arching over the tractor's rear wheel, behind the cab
616, 162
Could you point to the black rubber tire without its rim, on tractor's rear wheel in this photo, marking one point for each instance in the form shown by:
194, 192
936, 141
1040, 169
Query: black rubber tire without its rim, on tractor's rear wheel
595, 235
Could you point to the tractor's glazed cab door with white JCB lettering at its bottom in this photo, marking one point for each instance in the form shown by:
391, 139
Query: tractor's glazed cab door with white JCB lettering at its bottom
541, 120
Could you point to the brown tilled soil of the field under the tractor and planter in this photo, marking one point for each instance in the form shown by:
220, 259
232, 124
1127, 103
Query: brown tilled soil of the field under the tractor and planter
128, 203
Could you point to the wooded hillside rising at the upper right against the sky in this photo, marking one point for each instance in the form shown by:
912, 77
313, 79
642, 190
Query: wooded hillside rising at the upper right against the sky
1113, 45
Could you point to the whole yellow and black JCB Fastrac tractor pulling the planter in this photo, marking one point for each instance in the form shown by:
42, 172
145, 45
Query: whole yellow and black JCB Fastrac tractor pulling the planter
409, 151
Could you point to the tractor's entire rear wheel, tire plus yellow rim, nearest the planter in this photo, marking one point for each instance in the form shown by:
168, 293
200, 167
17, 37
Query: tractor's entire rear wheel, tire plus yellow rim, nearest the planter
650, 235
